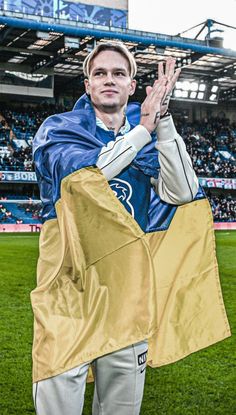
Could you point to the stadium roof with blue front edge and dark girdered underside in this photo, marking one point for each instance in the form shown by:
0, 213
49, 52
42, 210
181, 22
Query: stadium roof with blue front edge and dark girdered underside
49, 46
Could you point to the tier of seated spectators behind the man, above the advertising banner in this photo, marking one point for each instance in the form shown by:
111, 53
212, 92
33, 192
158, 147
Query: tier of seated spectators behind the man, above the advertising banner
211, 143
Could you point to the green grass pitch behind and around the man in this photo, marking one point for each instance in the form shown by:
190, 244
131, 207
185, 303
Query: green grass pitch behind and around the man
203, 383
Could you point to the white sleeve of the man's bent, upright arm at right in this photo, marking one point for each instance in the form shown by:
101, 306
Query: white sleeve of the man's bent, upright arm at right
177, 182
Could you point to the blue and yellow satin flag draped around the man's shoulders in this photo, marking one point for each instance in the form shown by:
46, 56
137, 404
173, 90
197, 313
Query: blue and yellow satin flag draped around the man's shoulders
104, 283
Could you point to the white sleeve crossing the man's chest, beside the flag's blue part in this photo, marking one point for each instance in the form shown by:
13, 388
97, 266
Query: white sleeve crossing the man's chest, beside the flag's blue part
118, 154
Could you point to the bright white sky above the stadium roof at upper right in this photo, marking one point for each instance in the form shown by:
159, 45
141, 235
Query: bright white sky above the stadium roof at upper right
174, 16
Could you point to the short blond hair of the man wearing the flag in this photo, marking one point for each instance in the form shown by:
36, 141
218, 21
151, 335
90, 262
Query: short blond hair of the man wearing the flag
116, 47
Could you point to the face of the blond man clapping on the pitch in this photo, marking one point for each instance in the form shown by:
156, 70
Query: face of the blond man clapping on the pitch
109, 83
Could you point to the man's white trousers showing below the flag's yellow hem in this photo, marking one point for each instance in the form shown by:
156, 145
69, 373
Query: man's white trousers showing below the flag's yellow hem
119, 385
